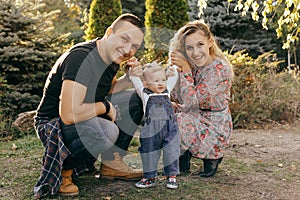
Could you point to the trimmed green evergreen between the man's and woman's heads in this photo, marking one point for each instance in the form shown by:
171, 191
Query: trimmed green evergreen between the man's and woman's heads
162, 19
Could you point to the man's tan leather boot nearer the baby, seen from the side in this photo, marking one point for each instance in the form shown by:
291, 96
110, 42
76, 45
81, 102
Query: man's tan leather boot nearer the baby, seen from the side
117, 169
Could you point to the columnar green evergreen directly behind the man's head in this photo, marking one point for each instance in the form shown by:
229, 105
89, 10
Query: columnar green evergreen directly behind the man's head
102, 14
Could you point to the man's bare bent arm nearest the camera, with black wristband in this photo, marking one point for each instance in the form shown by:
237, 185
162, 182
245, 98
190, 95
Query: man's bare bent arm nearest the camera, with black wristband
73, 110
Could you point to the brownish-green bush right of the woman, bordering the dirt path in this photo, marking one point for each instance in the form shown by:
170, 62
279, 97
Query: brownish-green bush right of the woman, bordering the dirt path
260, 94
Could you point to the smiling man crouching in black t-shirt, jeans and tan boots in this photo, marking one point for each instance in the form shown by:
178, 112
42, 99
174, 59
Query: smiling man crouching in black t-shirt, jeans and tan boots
76, 121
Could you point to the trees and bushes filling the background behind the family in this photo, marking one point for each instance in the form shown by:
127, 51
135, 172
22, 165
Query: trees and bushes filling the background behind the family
34, 33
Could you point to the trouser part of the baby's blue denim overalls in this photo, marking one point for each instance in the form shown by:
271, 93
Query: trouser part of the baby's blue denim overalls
160, 134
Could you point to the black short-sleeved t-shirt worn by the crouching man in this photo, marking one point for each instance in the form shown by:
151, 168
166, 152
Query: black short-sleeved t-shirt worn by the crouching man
82, 64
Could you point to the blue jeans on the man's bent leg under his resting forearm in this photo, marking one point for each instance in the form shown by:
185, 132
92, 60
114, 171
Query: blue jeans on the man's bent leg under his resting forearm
87, 139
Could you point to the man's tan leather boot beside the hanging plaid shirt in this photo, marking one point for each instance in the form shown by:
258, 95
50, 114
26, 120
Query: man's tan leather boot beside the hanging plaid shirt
68, 188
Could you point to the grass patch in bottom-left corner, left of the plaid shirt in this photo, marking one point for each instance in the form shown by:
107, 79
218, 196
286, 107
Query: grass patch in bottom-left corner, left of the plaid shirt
20, 168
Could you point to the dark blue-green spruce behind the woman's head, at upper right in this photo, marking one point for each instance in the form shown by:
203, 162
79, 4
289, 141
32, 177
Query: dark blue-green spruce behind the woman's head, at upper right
237, 33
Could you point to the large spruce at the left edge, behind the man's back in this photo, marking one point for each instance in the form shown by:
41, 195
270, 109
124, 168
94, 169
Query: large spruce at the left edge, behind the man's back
28, 47
